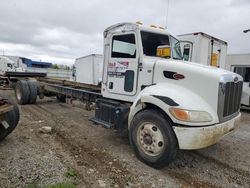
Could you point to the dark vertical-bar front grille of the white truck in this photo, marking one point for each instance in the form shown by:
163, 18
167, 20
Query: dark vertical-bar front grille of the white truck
229, 99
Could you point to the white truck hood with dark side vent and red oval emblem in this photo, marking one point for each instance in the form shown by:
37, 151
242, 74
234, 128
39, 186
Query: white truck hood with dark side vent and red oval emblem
199, 79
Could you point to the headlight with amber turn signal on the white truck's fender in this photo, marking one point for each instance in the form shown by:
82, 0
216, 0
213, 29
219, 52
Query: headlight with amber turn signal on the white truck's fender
190, 115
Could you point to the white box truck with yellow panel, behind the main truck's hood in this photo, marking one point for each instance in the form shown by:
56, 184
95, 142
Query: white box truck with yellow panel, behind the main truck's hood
204, 49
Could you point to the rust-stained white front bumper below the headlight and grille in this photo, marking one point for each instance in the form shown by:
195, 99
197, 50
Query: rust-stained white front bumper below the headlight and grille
201, 137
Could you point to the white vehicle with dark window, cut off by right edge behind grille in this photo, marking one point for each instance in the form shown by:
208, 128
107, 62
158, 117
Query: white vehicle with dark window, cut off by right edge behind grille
240, 63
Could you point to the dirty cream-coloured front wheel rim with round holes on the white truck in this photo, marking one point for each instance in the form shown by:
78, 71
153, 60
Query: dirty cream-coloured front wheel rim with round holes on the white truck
150, 139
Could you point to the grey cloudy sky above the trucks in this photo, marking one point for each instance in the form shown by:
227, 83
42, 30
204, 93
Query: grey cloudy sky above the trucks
61, 30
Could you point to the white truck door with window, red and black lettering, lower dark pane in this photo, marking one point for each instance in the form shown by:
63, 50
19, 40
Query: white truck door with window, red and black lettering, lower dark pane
123, 64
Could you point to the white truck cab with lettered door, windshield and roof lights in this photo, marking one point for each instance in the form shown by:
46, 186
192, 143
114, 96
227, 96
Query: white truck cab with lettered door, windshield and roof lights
129, 57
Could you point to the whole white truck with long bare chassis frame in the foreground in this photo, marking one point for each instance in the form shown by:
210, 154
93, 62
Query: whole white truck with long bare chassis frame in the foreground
166, 104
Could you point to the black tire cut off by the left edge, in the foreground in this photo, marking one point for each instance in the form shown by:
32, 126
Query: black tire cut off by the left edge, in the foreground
12, 118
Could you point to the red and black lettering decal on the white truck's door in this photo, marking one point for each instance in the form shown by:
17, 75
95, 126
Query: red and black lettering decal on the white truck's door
118, 68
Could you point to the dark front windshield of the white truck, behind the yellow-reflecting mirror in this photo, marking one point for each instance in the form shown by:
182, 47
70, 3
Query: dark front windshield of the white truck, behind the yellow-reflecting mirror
151, 41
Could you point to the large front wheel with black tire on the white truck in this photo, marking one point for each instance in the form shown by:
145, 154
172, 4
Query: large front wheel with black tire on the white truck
153, 139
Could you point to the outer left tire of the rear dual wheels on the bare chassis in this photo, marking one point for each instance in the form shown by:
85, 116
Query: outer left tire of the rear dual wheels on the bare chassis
22, 92
